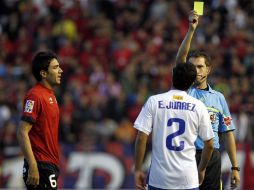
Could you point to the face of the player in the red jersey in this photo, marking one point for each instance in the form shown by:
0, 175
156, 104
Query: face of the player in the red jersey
54, 73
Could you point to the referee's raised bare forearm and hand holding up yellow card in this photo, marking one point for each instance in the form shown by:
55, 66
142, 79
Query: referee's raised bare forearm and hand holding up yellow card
185, 45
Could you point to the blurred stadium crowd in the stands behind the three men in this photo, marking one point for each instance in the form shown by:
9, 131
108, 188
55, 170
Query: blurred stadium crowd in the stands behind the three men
115, 54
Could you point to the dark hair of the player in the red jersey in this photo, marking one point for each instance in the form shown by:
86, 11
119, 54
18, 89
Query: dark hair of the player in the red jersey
41, 62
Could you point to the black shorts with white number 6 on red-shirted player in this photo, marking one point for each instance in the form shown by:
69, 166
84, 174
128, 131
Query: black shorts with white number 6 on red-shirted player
48, 175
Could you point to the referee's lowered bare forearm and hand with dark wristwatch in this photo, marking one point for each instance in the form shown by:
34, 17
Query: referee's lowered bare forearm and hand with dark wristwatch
230, 144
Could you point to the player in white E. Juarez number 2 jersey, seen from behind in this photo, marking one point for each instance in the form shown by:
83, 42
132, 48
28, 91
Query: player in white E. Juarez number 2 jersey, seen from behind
175, 119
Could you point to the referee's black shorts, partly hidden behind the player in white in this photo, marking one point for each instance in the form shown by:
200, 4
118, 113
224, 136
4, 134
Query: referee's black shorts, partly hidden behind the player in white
212, 179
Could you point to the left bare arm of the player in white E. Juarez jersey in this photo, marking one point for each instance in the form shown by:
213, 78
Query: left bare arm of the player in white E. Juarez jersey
140, 149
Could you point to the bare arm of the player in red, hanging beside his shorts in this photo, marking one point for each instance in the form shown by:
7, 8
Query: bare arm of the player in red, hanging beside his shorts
25, 144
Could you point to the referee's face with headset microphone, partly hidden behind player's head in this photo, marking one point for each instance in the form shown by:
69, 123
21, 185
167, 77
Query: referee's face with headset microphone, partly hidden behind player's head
202, 70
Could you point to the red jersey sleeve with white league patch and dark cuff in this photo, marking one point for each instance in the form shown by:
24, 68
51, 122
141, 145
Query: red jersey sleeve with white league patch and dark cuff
31, 108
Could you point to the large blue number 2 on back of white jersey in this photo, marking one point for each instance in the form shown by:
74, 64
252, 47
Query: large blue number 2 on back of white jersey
169, 139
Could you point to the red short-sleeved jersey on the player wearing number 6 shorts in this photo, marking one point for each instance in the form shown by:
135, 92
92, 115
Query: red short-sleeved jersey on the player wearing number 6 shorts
41, 110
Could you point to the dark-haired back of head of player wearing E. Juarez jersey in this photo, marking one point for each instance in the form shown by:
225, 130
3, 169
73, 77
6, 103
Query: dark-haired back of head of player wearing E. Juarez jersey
184, 75
